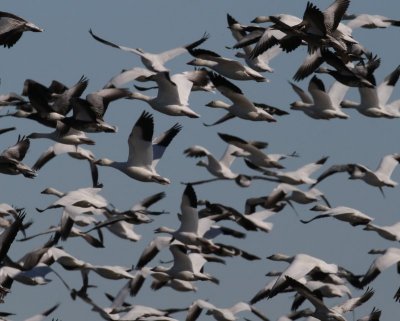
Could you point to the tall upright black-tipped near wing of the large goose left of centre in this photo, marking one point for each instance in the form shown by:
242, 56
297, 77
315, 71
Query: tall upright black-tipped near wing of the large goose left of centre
139, 141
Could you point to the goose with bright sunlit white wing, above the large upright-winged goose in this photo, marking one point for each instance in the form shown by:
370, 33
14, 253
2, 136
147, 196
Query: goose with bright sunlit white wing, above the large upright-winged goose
173, 95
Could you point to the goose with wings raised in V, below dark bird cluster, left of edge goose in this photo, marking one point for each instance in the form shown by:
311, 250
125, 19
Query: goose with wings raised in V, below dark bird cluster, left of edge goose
321, 104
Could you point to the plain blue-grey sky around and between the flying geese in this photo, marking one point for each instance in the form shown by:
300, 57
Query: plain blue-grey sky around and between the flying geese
65, 51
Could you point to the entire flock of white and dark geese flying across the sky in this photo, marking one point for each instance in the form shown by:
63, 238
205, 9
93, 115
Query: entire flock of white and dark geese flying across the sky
85, 213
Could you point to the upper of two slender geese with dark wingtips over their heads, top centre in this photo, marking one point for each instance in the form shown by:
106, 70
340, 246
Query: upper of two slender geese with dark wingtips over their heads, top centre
229, 68
